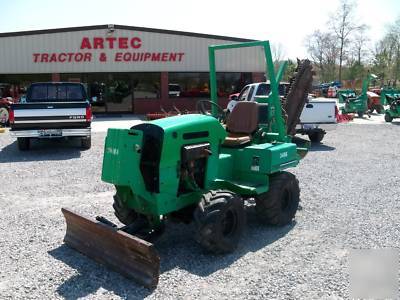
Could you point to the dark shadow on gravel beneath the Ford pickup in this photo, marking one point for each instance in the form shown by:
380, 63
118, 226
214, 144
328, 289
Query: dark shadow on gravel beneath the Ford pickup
42, 150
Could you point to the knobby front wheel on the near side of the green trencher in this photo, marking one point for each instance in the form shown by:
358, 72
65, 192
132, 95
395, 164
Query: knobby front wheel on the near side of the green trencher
220, 219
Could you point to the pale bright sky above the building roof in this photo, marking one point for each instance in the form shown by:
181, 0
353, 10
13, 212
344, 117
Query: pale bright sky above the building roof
283, 22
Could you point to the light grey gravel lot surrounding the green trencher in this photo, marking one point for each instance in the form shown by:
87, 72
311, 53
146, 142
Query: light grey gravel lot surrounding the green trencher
350, 199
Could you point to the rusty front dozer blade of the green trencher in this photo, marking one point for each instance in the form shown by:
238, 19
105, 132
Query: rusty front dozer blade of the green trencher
129, 255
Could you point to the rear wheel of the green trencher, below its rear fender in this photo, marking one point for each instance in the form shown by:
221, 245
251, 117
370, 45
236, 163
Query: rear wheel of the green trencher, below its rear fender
278, 206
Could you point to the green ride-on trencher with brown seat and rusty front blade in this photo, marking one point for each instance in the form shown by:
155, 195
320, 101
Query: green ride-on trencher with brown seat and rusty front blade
191, 168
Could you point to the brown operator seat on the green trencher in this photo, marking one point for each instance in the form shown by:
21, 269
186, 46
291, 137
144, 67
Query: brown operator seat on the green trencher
241, 123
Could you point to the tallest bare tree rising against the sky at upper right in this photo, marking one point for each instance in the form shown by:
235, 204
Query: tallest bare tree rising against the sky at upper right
343, 25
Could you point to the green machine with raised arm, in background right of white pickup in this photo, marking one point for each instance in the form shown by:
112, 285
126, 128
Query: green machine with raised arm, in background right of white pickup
356, 104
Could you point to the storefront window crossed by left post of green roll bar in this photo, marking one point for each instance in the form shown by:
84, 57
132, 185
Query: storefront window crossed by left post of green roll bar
196, 85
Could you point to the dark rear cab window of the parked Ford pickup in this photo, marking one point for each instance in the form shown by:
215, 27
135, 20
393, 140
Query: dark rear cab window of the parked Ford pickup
56, 92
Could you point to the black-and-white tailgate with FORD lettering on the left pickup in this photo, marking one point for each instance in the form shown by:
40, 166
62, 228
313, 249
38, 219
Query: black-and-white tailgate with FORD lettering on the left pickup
50, 115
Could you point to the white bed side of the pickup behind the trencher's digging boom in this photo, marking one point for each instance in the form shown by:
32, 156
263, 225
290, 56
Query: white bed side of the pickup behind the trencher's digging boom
318, 111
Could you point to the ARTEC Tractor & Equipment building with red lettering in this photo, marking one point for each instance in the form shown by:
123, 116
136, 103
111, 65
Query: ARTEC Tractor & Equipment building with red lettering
128, 69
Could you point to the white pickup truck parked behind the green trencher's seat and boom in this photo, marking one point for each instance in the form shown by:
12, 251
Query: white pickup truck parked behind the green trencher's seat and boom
317, 116
